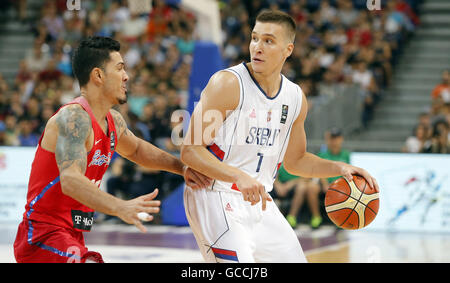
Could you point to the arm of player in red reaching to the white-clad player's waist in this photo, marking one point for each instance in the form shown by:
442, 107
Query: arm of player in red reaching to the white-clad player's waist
147, 155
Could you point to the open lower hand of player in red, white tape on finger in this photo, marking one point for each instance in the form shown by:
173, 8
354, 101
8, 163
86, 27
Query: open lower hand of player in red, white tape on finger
139, 209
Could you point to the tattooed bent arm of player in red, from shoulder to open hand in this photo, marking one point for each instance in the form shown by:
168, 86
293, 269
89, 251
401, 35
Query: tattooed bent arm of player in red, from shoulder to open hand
74, 128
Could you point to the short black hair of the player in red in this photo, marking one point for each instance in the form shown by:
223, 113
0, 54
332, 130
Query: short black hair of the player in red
92, 52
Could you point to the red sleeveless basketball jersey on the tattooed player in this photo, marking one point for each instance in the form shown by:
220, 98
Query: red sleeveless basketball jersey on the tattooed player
45, 201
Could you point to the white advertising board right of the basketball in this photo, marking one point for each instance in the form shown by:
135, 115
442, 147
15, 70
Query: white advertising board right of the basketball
414, 190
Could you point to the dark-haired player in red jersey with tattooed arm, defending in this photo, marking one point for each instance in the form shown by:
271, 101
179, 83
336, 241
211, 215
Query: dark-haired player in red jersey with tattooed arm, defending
73, 154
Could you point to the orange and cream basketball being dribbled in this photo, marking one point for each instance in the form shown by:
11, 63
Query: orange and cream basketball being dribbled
351, 205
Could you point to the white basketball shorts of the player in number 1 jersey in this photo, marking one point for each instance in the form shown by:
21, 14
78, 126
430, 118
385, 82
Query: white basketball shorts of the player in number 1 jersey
229, 229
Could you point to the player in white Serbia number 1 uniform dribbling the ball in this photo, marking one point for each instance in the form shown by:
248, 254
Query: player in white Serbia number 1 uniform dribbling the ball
249, 120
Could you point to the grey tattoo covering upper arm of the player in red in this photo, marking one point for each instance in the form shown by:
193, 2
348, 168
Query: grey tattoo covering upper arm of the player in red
74, 126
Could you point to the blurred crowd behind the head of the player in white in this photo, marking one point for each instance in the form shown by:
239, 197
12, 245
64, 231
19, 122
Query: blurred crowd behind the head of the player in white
337, 42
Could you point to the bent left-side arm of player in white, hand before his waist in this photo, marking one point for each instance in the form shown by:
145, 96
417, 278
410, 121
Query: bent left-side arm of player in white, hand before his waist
219, 96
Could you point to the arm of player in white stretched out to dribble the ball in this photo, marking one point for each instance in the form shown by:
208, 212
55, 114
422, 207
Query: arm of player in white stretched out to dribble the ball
301, 163
